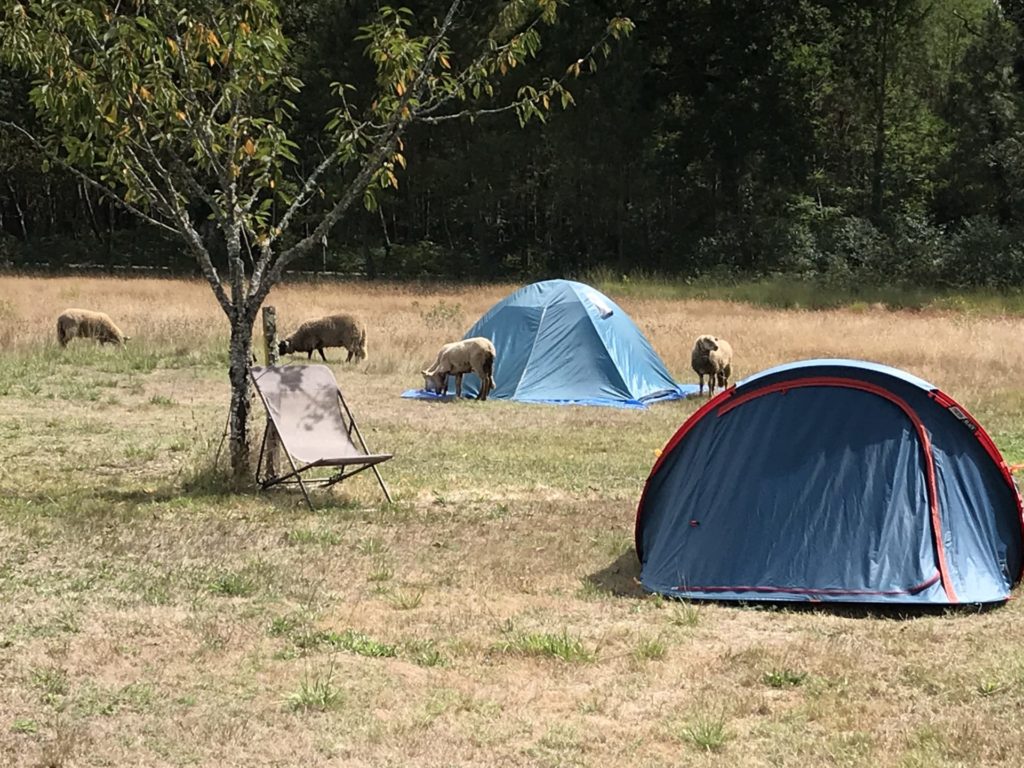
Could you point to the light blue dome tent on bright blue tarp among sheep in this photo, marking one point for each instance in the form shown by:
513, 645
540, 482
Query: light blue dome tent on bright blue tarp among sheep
567, 344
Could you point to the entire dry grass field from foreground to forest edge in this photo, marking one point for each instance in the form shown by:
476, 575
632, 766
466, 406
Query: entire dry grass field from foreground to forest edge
491, 616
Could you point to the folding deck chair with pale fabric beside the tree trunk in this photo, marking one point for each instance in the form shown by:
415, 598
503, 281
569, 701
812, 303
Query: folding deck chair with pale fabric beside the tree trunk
309, 413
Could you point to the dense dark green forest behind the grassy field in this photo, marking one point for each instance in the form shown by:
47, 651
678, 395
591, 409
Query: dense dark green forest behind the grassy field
846, 141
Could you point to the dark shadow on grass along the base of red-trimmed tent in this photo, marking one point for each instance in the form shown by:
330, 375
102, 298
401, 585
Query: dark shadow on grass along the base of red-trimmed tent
622, 578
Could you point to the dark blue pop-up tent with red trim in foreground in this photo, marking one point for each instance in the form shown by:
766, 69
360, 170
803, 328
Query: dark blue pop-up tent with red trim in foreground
832, 481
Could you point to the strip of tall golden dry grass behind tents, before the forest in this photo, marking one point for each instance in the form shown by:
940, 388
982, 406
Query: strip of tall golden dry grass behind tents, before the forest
974, 358
